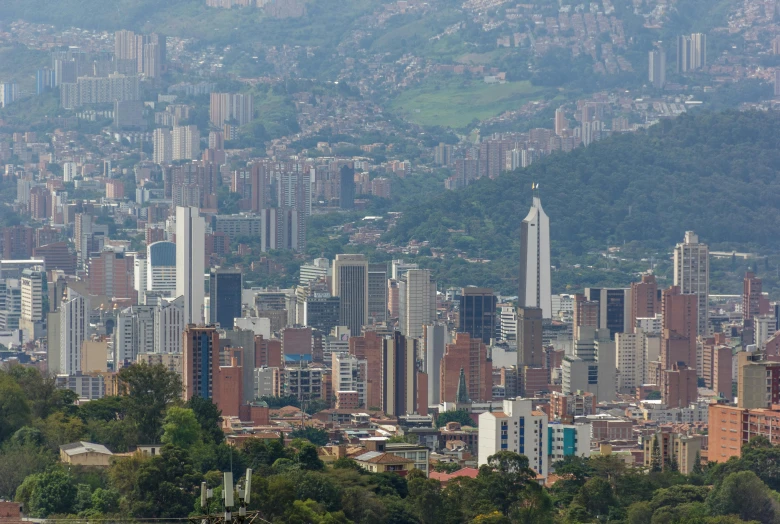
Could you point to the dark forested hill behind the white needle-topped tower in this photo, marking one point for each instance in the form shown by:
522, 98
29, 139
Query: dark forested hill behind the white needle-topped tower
716, 174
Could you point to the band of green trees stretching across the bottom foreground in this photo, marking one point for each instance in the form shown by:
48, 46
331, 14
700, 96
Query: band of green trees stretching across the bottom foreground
292, 485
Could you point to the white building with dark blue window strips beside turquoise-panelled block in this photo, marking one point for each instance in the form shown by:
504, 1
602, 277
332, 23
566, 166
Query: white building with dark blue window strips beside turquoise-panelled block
518, 428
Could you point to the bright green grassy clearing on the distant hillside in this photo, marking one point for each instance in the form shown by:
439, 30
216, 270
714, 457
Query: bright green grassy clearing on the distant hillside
455, 102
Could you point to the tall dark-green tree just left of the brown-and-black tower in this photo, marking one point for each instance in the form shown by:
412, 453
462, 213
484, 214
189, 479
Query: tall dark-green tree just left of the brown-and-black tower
149, 390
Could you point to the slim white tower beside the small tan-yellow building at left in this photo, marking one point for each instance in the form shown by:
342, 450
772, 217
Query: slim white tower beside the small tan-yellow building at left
74, 321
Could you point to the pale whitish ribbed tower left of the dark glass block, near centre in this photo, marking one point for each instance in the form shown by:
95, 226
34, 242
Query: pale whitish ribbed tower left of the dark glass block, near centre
417, 302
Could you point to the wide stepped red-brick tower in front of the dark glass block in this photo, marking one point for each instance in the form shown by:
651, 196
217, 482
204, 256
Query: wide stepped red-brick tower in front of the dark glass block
468, 356
